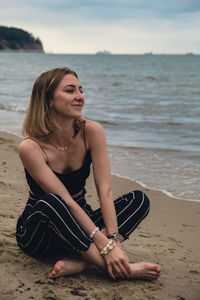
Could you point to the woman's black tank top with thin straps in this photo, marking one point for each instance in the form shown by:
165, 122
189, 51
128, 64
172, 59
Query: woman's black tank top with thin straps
74, 181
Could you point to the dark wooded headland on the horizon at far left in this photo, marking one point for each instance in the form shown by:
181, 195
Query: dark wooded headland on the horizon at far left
14, 38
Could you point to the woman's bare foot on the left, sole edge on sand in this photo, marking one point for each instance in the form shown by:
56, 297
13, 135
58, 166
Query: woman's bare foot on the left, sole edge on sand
68, 267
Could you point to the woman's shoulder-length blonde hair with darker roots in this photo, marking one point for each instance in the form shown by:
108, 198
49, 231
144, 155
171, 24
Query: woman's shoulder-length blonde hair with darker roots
38, 120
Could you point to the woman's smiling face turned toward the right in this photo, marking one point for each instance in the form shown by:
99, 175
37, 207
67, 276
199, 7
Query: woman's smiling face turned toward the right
68, 99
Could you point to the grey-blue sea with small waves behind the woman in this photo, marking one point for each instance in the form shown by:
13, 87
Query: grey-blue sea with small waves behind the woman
149, 106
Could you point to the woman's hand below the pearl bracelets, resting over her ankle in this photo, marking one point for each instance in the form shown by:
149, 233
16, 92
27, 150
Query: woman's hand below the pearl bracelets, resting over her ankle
117, 262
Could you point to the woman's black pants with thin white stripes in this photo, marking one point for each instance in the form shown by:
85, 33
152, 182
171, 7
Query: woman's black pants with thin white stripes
47, 226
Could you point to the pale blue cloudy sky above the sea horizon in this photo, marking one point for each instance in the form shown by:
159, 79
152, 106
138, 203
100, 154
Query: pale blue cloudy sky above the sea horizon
119, 26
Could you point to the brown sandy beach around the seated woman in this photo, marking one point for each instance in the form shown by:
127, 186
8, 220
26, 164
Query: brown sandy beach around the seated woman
169, 236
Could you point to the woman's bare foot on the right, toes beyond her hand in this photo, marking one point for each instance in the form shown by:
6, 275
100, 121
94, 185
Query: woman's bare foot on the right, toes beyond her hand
145, 270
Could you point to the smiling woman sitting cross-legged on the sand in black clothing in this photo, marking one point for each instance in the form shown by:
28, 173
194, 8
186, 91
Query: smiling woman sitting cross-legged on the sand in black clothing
56, 155
